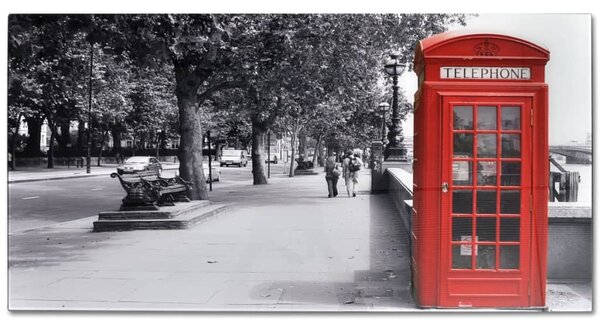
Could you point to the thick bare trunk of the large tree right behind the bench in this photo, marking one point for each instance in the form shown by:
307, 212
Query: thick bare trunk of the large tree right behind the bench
190, 148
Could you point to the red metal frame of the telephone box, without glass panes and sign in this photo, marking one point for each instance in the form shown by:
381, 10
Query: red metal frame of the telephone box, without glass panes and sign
435, 284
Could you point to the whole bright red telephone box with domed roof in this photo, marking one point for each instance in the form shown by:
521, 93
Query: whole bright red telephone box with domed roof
480, 174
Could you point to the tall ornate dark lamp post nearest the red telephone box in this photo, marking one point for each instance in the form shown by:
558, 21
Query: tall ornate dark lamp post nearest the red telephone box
394, 150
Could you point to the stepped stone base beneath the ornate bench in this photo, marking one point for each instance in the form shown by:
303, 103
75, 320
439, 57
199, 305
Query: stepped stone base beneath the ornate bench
182, 215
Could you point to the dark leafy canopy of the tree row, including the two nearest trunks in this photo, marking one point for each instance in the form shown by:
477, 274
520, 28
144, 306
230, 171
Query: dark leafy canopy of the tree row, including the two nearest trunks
235, 74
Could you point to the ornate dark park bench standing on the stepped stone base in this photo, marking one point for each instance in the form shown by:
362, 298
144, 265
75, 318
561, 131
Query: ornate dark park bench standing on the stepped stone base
148, 191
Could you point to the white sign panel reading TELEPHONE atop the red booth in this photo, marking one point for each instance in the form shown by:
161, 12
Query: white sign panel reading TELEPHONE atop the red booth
476, 72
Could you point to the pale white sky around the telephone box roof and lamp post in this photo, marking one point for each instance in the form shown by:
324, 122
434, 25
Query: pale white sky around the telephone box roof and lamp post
568, 73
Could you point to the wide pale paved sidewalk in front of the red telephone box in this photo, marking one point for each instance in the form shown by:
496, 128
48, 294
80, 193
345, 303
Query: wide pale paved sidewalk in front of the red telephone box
281, 247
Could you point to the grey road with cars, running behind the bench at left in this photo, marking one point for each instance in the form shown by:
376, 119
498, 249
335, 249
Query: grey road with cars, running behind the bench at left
41, 203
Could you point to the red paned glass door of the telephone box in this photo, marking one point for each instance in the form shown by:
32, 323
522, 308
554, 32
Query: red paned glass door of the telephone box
486, 191
